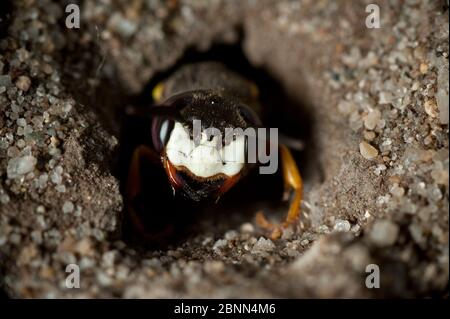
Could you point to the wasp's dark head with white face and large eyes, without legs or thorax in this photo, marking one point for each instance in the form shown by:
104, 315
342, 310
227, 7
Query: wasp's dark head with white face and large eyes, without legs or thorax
198, 136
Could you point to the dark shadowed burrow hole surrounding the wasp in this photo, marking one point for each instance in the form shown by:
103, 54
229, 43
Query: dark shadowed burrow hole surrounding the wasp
160, 211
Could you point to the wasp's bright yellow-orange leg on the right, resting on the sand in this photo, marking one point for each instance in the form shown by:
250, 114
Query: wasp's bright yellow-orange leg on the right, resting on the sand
292, 182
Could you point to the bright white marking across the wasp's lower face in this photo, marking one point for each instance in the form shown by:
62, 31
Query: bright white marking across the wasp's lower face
205, 160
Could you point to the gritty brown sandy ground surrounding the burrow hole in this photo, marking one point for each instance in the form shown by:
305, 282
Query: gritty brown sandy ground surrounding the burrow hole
379, 103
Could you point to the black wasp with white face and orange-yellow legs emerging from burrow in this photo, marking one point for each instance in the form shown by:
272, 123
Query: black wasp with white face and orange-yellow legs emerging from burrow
216, 97
